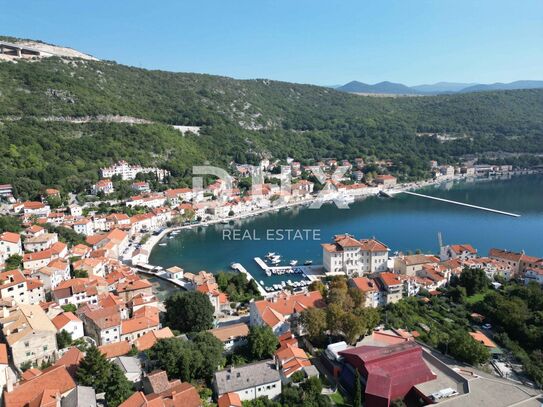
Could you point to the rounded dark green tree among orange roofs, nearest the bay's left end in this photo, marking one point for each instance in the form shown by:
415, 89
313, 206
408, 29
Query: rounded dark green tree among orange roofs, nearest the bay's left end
189, 312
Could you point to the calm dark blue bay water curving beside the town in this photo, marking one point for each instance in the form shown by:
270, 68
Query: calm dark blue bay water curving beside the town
404, 223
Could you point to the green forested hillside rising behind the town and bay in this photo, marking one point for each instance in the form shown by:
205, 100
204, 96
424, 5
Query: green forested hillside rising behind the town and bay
240, 120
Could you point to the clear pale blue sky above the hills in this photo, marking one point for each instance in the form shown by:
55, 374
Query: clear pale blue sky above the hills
324, 42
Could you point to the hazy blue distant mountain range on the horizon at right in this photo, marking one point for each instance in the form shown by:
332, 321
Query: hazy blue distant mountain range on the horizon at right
390, 88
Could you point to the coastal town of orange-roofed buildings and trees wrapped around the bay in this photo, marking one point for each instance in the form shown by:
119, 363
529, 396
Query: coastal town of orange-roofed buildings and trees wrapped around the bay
82, 323
